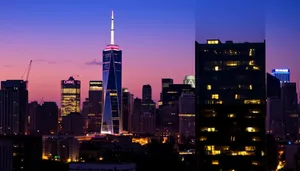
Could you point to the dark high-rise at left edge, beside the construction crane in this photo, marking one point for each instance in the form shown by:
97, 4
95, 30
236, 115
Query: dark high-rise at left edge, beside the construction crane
13, 107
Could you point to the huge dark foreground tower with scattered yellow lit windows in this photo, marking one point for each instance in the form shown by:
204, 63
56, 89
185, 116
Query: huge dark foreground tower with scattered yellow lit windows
231, 105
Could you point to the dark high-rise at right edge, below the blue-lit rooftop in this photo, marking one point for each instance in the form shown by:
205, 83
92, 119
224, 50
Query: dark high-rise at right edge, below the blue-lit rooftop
289, 99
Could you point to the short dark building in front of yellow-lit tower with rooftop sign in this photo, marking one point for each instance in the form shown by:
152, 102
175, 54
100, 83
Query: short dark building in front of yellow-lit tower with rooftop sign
74, 124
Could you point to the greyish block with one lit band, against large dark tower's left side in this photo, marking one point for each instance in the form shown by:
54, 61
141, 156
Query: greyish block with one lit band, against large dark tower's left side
187, 116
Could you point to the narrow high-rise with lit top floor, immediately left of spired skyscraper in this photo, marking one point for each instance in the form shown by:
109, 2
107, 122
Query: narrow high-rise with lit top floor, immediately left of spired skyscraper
95, 100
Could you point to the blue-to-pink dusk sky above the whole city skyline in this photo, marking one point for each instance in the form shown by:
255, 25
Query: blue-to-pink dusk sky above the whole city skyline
66, 38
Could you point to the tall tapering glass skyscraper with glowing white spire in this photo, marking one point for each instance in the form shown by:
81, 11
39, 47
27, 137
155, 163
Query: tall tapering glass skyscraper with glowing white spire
112, 86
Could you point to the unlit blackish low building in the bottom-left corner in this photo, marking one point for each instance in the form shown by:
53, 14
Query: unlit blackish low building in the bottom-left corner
20, 152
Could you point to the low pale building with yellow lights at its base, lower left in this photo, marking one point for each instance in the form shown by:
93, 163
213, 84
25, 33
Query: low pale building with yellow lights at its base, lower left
61, 148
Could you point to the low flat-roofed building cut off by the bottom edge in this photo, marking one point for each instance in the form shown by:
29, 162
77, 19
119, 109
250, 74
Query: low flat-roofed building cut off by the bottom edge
101, 166
